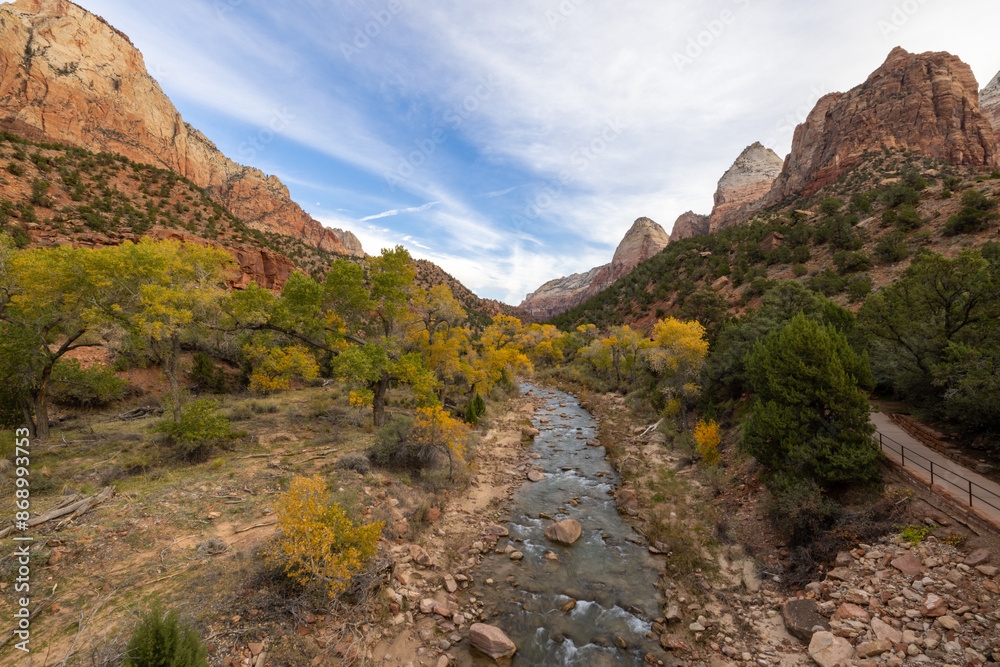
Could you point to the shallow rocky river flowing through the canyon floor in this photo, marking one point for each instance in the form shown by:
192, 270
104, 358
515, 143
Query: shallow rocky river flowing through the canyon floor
607, 571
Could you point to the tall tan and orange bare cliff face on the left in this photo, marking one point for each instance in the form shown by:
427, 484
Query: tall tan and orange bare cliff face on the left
68, 76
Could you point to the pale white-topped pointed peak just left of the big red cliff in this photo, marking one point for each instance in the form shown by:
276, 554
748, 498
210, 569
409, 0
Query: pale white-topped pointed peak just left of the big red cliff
743, 185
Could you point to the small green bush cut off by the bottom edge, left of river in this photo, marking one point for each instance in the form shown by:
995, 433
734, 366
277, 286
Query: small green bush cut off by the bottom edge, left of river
165, 641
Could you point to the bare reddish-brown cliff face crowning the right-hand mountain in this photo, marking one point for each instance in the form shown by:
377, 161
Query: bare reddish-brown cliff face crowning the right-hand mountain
927, 102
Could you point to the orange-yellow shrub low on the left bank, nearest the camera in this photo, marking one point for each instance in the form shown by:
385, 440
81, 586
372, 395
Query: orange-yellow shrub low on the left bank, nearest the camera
317, 541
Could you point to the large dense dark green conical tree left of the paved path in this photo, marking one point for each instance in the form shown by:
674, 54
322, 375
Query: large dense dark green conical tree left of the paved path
810, 416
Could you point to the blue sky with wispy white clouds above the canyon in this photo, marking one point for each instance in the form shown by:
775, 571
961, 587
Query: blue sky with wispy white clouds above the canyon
515, 141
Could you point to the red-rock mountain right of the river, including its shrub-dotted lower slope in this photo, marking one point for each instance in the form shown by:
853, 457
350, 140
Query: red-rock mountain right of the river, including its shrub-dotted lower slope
917, 119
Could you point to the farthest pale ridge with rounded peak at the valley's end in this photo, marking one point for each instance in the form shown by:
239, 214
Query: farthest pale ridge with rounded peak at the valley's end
642, 241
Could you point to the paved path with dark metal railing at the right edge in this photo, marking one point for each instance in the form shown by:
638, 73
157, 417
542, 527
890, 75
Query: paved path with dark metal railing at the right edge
949, 477
